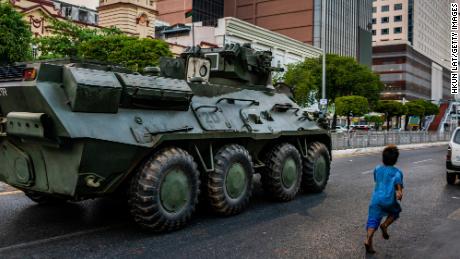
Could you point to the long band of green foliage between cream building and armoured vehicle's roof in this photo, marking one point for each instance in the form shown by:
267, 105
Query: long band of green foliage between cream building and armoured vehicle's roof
106, 45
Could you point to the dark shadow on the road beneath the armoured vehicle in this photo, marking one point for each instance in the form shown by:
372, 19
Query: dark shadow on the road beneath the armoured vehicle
44, 222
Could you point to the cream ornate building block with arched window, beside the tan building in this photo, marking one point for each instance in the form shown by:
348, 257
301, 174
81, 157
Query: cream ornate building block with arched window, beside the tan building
135, 17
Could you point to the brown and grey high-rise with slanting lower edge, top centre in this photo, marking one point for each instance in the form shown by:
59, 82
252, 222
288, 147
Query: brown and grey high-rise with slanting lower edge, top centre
347, 23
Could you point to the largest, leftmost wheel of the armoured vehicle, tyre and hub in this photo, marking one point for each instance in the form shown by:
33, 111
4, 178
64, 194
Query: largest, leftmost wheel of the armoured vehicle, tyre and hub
164, 193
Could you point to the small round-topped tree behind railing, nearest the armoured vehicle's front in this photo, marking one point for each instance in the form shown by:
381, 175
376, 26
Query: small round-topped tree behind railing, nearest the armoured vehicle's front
351, 106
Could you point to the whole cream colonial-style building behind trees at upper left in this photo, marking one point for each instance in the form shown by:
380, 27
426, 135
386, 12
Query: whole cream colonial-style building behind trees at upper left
133, 17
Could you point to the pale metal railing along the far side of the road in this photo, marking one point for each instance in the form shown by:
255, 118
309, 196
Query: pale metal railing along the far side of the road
379, 139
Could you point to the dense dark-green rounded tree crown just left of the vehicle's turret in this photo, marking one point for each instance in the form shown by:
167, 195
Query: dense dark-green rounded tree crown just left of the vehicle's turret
129, 51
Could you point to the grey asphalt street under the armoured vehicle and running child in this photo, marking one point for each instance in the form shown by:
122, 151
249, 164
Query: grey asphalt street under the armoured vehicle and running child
326, 225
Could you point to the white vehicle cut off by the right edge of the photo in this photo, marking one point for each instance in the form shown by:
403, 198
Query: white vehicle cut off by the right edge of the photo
453, 157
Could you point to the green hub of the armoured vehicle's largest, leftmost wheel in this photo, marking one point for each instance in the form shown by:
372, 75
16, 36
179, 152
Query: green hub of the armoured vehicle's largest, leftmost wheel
175, 191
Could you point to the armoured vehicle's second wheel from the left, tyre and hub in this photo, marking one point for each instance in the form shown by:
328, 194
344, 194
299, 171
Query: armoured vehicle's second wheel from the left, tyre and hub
230, 185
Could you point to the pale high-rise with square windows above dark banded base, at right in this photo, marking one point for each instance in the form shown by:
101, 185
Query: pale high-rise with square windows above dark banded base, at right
411, 48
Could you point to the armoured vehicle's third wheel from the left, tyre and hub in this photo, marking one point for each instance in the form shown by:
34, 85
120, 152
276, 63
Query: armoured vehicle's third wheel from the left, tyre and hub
283, 172
